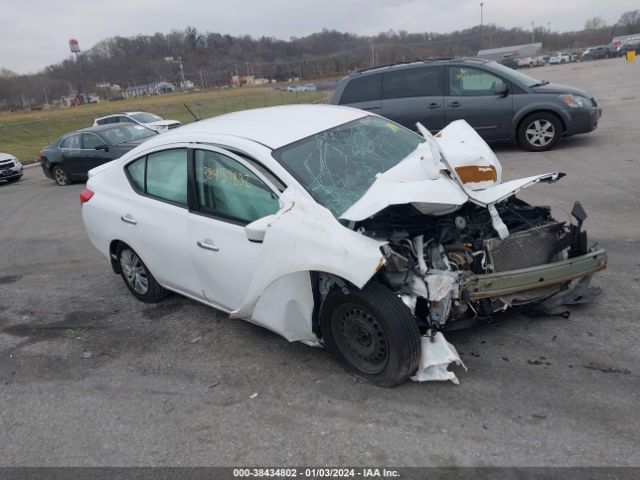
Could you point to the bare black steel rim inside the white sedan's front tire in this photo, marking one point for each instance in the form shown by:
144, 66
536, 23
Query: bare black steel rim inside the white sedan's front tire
360, 338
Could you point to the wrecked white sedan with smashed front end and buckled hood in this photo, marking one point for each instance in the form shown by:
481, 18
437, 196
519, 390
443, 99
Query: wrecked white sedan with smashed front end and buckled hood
332, 226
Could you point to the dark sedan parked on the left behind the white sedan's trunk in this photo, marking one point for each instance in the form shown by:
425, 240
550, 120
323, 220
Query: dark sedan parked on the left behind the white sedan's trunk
71, 156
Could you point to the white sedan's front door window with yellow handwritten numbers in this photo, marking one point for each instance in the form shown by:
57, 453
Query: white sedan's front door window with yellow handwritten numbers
228, 189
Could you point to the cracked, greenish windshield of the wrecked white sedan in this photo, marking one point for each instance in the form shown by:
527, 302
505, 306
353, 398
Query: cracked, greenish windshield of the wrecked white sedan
339, 165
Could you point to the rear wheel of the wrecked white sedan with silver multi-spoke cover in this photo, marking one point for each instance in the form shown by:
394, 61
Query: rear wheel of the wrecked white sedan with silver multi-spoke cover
137, 277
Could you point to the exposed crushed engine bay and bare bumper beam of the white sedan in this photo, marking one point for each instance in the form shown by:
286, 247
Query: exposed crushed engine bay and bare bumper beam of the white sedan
454, 270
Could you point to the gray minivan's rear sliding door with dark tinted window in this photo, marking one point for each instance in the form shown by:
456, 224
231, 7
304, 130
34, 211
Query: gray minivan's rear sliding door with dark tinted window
415, 94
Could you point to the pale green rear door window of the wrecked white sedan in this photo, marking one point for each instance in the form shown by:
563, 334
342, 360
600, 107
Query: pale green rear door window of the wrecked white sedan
167, 175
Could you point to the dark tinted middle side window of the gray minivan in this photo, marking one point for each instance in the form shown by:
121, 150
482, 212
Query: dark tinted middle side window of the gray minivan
414, 82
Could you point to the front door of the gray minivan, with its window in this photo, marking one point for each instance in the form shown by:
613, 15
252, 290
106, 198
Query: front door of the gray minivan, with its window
470, 96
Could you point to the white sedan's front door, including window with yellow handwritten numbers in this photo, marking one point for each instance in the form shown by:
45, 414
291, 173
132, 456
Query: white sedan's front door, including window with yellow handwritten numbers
230, 194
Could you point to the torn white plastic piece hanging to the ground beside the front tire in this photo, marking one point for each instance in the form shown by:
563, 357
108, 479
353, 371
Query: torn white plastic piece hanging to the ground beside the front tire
436, 355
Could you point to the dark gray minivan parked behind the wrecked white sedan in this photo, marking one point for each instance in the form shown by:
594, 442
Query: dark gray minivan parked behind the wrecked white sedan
500, 103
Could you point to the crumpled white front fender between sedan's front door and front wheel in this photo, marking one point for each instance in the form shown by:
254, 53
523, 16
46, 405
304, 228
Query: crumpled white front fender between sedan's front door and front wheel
304, 236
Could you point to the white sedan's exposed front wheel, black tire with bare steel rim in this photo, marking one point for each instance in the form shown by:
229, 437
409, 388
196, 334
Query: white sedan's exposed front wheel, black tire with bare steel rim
372, 333
